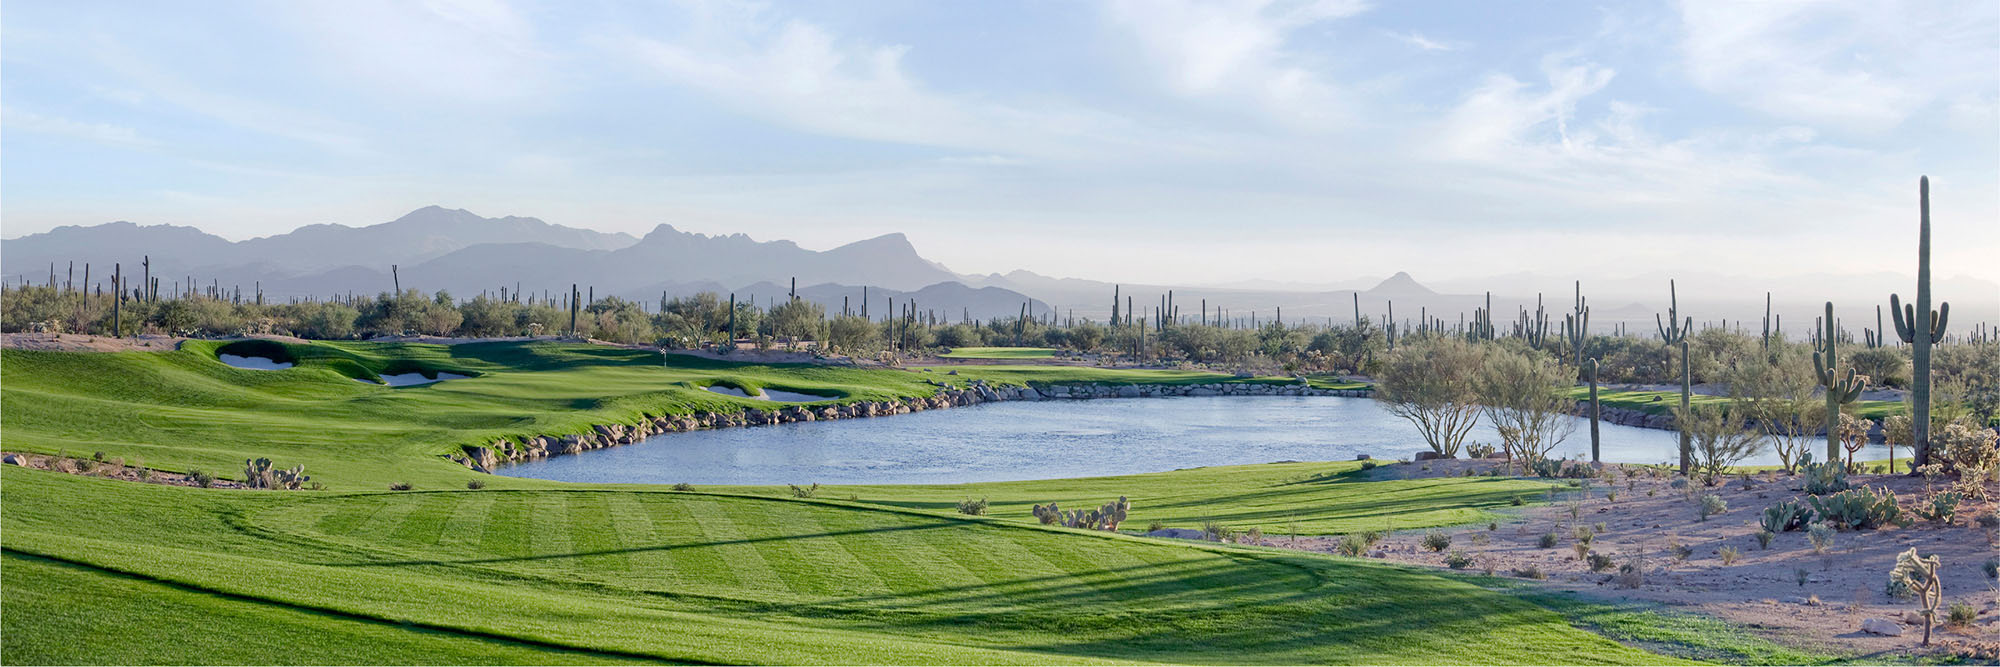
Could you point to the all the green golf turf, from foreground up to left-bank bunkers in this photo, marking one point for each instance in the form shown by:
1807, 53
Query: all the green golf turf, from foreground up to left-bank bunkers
483, 576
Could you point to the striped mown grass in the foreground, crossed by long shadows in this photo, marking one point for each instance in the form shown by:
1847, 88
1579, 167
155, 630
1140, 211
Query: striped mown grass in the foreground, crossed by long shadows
761, 580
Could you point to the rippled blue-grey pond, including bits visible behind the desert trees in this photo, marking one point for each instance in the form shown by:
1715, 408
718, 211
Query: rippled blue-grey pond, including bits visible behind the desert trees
1051, 440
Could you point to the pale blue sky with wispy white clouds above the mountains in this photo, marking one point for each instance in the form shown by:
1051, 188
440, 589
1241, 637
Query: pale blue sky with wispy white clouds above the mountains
1137, 141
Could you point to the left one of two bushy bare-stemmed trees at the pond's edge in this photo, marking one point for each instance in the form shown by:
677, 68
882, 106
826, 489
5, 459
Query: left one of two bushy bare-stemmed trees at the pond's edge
1431, 382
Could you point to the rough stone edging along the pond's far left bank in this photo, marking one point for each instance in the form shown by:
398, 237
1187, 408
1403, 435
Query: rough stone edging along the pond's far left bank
485, 458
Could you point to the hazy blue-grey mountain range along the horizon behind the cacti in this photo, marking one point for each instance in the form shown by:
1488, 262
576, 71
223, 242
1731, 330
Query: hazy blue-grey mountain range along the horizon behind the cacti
457, 251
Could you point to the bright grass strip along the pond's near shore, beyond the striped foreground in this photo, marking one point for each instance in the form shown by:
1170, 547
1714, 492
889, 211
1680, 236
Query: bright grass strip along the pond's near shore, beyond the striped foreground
1277, 498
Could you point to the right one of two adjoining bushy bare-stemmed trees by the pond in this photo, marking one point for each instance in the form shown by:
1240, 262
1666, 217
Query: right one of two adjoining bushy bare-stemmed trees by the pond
1527, 398
